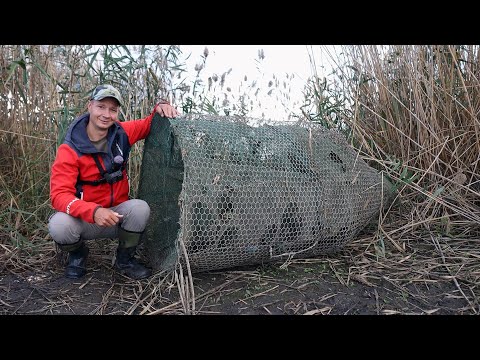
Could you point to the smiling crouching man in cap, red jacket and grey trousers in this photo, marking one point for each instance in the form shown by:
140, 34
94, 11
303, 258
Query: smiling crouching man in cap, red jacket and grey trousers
89, 186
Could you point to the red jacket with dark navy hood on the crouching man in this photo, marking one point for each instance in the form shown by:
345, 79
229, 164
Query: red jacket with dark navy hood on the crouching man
74, 164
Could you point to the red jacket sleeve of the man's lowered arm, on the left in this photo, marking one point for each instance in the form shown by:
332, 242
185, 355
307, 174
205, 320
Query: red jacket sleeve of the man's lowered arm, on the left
63, 178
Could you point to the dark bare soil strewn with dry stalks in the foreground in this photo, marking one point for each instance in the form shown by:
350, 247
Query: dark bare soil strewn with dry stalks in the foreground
310, 286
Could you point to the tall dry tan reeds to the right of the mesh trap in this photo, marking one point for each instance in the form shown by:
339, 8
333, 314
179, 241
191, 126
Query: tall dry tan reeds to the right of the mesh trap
416, 118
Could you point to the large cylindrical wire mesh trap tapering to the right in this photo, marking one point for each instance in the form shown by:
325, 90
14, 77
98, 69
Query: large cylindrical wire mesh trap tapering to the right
239, 194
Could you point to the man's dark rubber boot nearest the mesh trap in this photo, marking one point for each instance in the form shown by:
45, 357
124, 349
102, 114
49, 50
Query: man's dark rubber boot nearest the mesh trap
125, 261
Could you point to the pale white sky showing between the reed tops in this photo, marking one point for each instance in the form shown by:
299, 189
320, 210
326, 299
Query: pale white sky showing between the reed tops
283, 61
